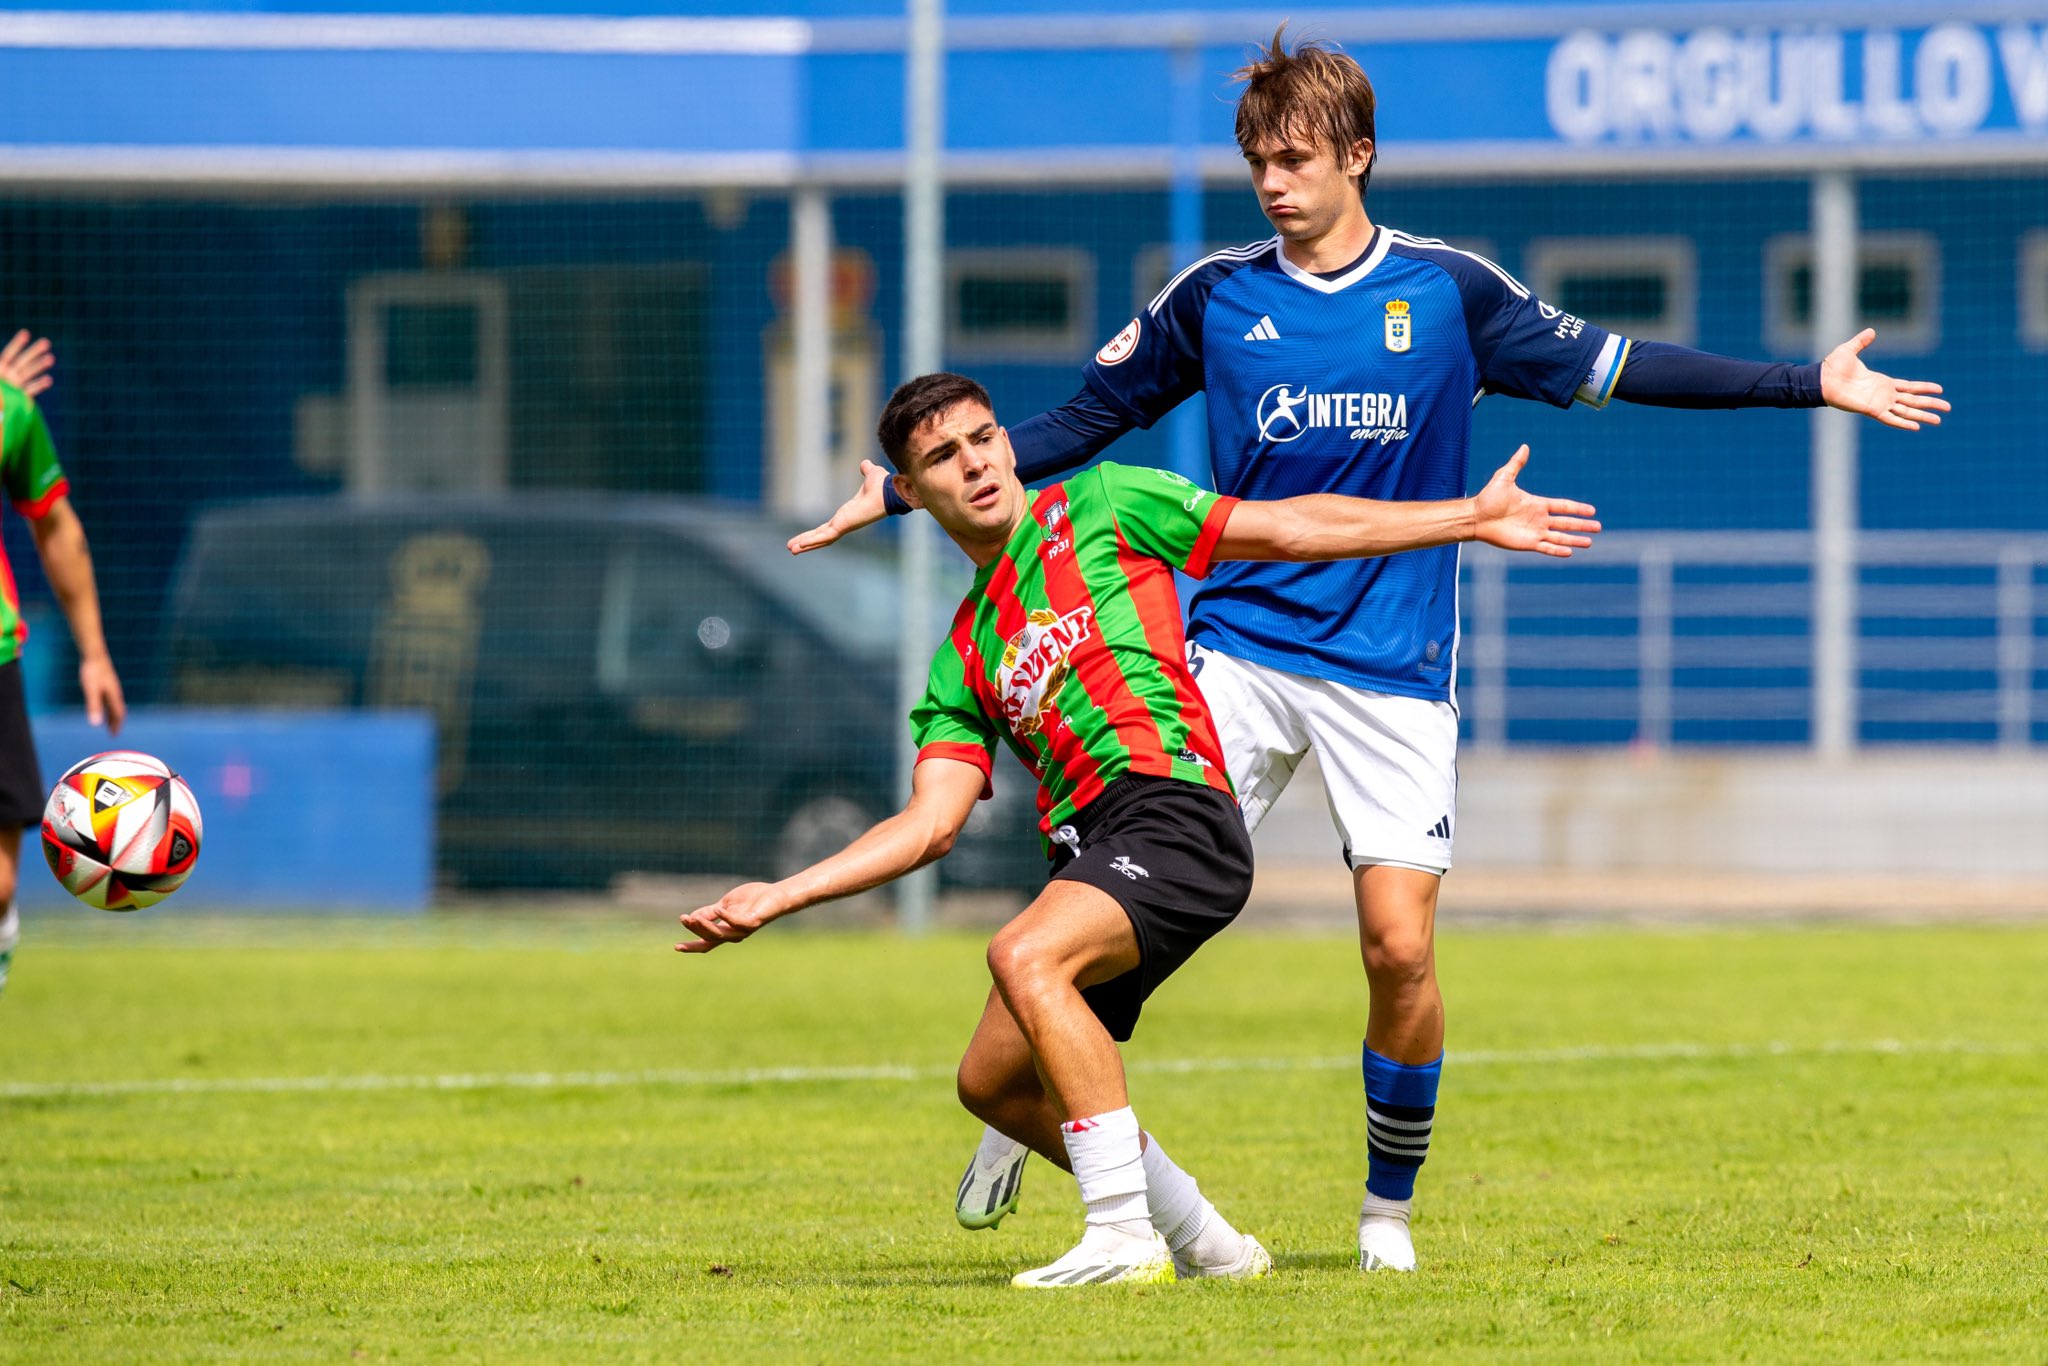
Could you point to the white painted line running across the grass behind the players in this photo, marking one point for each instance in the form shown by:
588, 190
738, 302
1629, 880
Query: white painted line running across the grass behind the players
808, 1076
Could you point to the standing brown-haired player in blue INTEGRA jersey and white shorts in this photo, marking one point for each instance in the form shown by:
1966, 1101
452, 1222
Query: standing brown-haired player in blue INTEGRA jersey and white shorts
1349, 355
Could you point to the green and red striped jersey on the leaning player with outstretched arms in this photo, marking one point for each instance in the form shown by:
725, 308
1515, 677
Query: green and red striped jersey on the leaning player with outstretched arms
1070, 644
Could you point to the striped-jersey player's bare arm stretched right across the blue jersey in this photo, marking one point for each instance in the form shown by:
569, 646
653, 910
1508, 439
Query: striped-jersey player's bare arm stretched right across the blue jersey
1336, 527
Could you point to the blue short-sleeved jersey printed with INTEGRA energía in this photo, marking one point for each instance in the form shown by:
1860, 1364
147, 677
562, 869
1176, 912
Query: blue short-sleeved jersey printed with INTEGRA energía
1363, 384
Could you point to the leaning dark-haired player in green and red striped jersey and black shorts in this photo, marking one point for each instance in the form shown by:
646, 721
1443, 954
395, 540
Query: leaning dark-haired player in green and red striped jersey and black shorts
1068, 648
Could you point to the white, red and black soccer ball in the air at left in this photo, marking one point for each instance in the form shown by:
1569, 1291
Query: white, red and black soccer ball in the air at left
122, 830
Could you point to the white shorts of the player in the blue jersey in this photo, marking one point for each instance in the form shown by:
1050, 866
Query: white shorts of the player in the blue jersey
1390, 763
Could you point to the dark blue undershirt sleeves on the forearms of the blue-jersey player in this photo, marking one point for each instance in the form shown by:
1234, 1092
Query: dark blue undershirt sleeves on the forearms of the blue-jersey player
1656, 374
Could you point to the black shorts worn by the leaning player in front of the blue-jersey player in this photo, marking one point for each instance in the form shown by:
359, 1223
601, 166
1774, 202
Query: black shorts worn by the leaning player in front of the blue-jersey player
1177, 857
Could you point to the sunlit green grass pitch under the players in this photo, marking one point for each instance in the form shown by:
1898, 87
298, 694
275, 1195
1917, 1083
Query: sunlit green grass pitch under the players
1654, 1146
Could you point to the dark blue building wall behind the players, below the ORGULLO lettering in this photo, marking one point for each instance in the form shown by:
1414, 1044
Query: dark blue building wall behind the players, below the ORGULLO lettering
189, 331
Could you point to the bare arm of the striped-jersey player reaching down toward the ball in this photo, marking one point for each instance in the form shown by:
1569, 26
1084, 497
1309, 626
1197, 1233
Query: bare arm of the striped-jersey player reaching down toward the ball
943, 798
